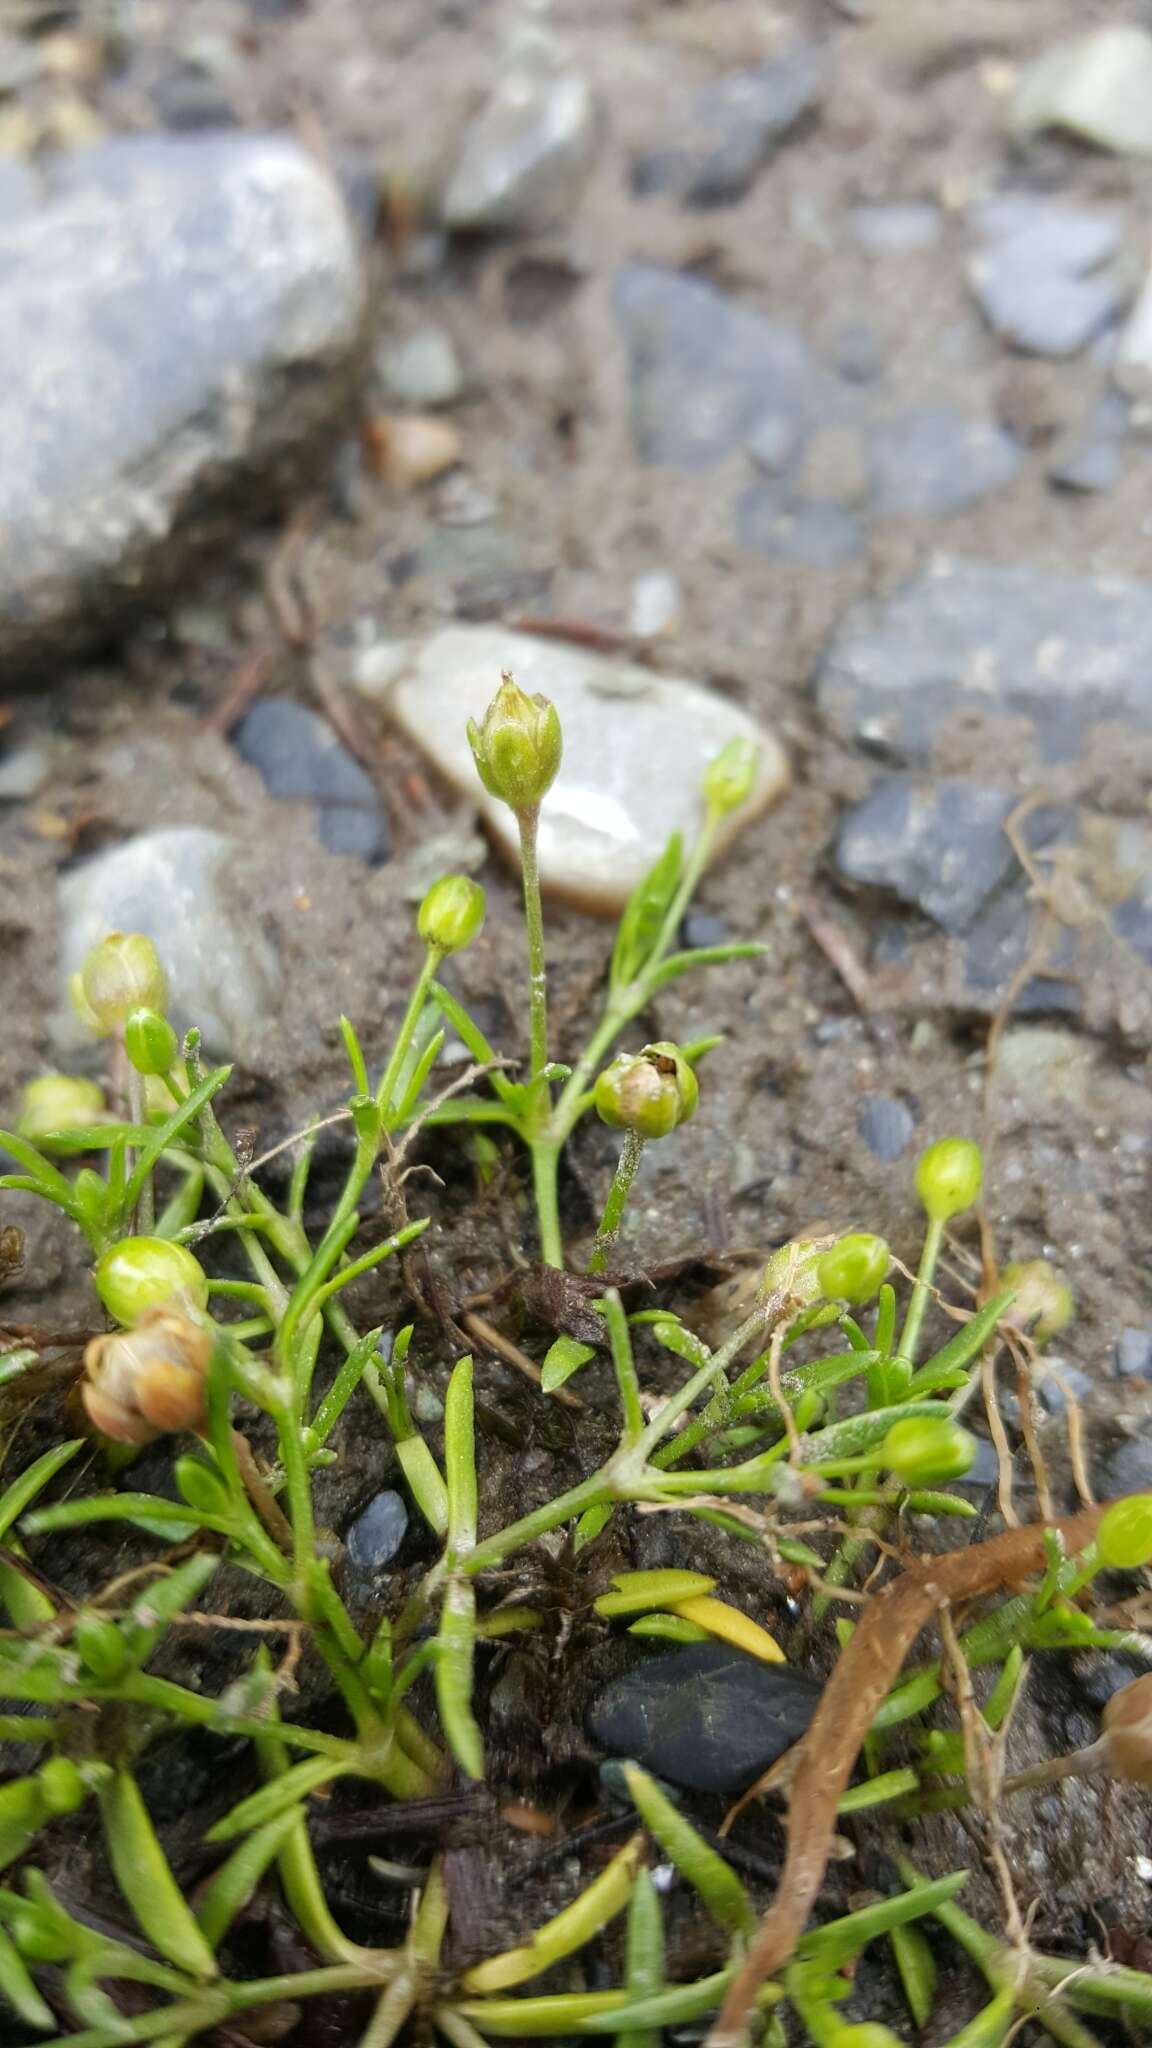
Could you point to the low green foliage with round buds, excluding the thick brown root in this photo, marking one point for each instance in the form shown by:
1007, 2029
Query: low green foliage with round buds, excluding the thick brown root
798, 1416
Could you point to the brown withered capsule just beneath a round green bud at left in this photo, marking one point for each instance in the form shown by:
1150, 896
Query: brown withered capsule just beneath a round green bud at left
145, 1381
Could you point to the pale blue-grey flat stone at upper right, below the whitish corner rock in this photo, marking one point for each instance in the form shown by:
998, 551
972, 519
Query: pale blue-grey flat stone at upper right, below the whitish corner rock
1040, 280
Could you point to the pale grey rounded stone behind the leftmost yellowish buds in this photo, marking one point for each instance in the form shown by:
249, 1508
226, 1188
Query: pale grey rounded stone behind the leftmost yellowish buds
224, 974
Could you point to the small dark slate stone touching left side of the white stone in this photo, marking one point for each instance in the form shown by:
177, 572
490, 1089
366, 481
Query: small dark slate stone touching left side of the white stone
300, 757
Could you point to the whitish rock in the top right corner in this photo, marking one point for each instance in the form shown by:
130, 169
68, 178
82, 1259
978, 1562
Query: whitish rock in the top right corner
1096, 87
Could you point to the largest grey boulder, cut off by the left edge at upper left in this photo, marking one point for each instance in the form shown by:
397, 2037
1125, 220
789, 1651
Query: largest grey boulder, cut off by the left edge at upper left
179, 325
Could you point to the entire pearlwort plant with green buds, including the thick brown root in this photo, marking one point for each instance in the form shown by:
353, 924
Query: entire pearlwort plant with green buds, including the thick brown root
815, 1433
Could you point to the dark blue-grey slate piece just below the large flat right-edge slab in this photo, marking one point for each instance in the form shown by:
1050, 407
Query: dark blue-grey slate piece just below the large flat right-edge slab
936, 845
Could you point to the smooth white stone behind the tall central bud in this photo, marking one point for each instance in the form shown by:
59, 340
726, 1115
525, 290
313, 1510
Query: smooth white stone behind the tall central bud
634, 751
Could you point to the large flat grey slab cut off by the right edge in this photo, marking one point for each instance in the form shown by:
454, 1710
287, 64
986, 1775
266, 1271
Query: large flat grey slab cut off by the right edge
973, 638
